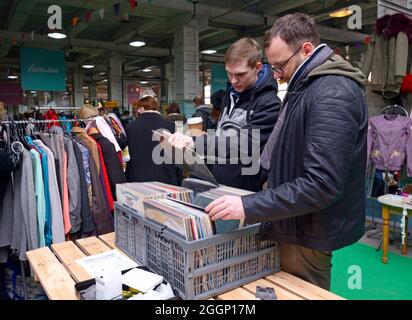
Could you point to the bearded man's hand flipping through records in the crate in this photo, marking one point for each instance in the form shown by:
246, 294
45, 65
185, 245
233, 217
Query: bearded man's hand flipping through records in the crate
226, 208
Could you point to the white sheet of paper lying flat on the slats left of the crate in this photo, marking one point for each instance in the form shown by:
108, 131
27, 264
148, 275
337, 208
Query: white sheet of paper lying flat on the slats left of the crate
98, 263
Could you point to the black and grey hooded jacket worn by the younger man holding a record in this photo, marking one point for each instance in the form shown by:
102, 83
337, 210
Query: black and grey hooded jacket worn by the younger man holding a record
257, 108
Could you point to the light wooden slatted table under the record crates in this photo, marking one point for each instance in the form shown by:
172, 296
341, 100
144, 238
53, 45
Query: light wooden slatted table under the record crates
58, 272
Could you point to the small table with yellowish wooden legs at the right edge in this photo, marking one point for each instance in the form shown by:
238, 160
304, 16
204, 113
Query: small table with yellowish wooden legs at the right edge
392, 204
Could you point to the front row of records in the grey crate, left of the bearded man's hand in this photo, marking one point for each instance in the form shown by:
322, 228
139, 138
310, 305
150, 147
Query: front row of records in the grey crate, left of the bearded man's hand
191, 223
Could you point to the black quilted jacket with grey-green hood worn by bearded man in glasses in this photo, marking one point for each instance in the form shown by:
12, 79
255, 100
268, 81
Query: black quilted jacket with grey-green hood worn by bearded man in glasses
316, 194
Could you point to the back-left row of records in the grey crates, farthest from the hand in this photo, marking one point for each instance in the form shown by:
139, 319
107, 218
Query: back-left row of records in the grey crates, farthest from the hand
132, 195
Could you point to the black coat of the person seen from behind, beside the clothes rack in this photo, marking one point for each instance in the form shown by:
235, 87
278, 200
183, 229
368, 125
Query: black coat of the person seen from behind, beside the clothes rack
141, 167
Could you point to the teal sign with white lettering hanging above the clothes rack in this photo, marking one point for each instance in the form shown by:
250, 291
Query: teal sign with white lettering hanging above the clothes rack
42, 69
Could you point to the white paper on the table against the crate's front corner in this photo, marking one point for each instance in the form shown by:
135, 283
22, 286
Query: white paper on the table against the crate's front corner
141, 280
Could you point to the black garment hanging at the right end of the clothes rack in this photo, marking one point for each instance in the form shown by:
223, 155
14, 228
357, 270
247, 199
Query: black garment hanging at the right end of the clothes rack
113, 166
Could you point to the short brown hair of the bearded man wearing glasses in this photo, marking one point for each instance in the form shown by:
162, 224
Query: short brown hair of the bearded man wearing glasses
294, 29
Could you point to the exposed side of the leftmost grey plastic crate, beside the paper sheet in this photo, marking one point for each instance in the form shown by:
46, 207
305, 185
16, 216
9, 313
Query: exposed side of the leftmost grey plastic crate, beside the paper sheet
130, 234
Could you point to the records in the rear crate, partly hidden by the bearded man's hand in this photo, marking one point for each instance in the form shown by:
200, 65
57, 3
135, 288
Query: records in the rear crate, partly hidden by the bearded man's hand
203, 199
